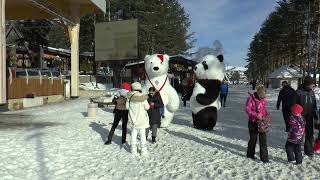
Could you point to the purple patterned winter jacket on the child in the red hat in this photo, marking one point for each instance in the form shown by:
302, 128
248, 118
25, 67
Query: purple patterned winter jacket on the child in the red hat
297, 128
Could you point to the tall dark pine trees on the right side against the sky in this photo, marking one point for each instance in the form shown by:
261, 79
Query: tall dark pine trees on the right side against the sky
287, 36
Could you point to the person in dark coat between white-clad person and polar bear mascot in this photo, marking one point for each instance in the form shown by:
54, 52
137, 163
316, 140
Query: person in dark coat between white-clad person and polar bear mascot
155, 102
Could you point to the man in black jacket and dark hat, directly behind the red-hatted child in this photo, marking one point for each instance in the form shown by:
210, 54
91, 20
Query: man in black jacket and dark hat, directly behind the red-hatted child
306, 98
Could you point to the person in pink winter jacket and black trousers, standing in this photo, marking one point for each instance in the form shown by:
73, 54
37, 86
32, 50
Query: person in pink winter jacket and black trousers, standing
257, 111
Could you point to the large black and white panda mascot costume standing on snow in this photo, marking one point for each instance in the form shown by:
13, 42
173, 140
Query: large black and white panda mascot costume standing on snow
205, 101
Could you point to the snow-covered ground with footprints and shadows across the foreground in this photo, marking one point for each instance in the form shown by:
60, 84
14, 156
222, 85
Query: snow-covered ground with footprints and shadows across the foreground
58, 142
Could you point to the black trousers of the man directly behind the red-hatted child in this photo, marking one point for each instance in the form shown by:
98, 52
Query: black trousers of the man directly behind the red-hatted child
308, 141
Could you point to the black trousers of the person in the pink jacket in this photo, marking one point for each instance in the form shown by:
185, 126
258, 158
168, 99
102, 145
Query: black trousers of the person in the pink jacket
253, 132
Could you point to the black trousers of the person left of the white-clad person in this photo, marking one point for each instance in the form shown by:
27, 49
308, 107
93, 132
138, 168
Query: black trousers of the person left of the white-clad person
118, 115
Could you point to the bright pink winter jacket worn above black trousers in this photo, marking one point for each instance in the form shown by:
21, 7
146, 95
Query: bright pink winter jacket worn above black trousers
251, 109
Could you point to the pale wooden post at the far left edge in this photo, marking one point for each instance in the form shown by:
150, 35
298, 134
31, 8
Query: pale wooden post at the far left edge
3, 76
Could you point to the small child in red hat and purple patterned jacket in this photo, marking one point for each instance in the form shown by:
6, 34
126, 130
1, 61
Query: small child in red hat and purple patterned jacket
295, 135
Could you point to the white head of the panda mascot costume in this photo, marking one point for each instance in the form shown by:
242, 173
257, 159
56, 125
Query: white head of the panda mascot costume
210, 67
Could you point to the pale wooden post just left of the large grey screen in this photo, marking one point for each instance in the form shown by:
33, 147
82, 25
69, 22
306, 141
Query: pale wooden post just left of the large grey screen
74, 41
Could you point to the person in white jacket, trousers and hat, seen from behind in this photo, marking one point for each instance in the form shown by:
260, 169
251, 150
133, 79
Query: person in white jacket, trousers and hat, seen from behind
138, 105
